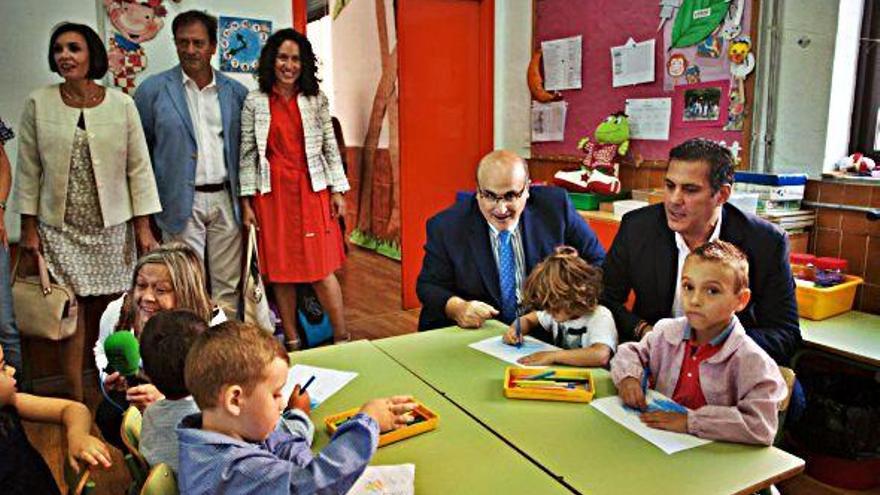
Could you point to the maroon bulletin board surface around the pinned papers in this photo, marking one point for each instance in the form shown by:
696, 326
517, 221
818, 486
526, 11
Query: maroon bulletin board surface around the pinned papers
605, 24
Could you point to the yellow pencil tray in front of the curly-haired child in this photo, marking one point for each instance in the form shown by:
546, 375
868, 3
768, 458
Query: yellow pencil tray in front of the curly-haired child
532, 383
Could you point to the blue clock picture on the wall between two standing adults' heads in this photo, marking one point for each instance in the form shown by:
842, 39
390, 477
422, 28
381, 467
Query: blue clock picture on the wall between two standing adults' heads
241, 40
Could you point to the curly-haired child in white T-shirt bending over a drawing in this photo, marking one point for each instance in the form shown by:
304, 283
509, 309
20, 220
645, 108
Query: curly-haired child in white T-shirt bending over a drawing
566, 290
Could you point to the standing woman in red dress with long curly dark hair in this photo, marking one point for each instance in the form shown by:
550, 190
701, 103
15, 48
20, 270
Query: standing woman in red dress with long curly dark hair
292, 179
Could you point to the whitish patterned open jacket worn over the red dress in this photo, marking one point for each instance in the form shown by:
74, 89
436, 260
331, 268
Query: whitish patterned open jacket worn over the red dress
322, 152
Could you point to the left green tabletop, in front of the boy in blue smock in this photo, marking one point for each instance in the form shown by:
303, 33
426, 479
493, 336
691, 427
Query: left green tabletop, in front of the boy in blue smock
460, 456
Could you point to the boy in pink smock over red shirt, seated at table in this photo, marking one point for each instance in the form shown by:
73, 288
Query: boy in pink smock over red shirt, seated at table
704, 361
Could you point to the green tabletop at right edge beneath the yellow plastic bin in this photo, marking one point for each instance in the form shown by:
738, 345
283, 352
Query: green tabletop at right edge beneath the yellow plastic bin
853, 335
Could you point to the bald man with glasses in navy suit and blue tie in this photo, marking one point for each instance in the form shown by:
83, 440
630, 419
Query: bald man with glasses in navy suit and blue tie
480, 251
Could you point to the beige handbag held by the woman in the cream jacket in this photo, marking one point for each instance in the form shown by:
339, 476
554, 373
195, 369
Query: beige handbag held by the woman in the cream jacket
42, 309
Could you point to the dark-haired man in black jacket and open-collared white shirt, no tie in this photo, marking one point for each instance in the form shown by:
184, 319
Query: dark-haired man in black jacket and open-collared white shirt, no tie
649, 249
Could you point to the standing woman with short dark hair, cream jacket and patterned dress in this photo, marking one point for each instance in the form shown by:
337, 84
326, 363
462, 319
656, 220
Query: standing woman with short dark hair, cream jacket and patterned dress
85, 186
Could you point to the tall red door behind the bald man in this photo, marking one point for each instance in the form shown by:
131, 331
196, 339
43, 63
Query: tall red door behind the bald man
445, 50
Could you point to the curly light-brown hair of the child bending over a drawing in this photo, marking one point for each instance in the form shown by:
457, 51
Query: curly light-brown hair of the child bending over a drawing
563, 281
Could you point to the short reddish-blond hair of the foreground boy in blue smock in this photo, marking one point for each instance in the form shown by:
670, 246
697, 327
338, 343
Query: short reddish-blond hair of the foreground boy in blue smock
231, 353
